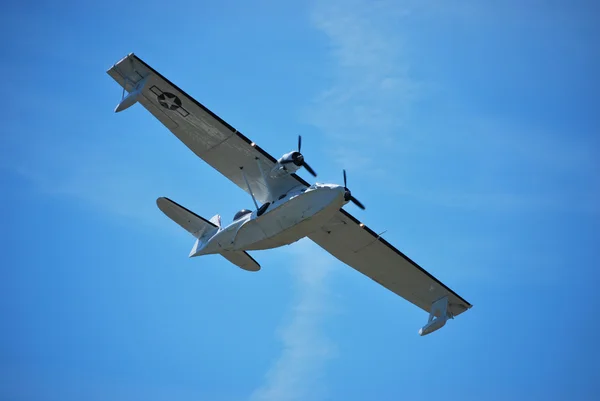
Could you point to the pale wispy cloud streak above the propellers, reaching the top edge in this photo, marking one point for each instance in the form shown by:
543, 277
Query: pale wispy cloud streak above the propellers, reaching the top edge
371, 90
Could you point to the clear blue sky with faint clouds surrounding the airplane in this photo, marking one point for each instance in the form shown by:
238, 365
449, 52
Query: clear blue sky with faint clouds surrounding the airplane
469, 130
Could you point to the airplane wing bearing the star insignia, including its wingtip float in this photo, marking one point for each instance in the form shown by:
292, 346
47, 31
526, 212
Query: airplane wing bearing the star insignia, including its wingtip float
206, 134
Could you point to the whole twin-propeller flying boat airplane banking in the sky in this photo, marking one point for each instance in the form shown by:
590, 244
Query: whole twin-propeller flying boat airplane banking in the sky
287, 208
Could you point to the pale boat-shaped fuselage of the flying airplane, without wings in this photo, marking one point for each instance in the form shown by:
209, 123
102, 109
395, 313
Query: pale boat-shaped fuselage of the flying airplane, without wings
286, 220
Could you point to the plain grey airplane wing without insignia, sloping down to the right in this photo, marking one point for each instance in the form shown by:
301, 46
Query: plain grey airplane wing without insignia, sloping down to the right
361, 248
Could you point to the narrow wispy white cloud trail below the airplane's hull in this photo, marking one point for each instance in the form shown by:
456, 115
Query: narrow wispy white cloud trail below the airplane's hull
296, 374
